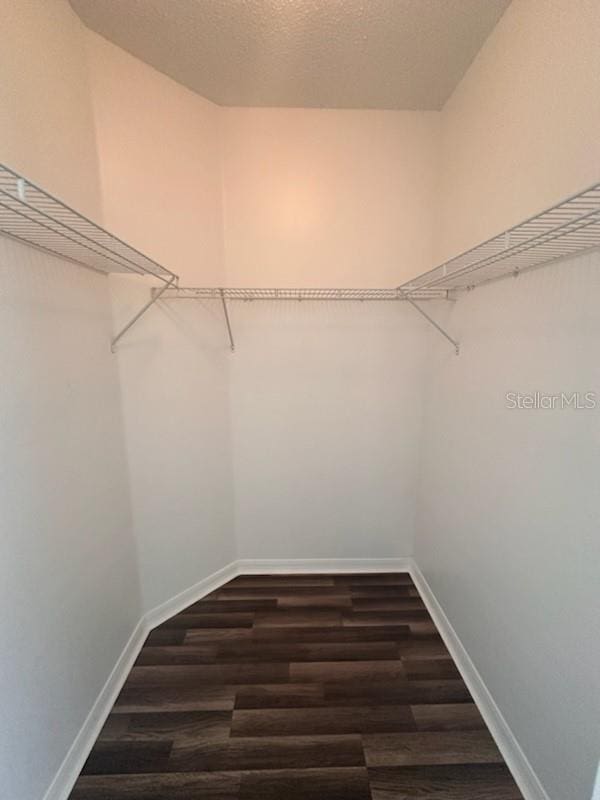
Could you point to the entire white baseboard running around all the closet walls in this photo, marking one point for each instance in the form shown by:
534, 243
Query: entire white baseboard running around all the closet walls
516, 760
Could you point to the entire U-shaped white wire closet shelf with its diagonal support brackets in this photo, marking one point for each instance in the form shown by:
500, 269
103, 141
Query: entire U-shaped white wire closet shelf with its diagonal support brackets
33, 216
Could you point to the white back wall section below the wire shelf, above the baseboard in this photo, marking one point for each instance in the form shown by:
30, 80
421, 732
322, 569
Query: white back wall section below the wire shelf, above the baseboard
319, 391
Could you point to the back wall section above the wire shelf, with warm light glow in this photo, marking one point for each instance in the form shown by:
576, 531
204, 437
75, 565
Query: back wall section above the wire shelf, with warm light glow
328, 198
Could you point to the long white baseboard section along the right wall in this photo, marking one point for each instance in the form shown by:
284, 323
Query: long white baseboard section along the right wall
515, 758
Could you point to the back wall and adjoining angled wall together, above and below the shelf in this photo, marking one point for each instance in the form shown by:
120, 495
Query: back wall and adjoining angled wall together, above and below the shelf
281, 450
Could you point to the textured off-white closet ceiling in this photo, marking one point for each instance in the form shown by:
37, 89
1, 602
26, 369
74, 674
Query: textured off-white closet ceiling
402, 54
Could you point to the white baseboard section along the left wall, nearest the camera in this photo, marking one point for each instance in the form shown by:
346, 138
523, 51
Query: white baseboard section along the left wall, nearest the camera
73, 762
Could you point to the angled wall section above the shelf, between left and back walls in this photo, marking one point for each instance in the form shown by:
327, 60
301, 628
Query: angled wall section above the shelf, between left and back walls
159, 148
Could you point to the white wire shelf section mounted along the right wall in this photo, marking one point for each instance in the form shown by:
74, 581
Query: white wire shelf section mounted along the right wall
566, 229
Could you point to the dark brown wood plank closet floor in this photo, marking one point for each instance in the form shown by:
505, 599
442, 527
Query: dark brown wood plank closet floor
297, 687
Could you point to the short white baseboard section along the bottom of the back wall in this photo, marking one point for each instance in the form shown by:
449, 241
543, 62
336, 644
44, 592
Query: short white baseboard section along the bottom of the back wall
258, 566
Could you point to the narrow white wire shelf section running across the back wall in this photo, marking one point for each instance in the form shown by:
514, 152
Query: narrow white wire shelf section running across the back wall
215, 293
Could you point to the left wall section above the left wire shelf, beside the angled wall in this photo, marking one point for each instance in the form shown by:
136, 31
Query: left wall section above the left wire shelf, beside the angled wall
46, 118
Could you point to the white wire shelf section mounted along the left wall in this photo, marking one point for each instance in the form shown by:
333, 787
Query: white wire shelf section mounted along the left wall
31, 215
